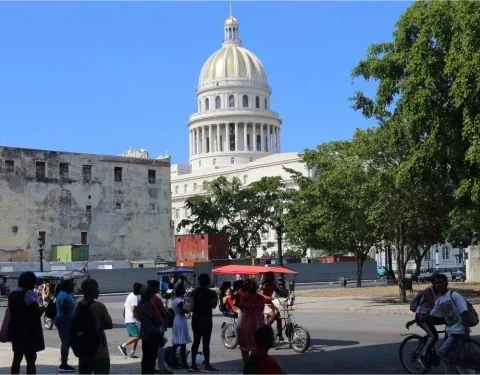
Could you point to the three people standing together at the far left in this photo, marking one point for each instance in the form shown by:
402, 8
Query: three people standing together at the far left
25, 329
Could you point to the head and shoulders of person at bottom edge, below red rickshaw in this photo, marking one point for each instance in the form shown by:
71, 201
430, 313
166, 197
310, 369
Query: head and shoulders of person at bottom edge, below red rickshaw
260, 362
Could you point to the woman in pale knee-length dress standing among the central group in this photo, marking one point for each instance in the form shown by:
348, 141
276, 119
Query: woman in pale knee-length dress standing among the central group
180, 334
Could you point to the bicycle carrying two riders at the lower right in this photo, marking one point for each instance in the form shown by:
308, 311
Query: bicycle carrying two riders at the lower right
418, 342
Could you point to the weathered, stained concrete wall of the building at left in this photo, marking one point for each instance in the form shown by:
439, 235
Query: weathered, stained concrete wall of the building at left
140, 229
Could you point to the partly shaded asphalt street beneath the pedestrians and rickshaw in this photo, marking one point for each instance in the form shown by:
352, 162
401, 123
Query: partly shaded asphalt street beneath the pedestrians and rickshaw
341, 343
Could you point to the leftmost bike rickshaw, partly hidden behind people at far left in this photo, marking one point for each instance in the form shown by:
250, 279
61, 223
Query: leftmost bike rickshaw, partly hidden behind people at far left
52, 280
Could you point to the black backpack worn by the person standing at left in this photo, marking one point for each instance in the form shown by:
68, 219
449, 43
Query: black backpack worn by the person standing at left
84, 337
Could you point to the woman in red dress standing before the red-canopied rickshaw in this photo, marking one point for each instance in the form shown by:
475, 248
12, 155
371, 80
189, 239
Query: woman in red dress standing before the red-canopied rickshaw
251, 305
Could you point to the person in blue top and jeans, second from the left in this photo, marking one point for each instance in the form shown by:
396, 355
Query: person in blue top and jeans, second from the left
65, 306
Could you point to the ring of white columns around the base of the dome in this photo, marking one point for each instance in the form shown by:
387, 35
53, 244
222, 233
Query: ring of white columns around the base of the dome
240, 136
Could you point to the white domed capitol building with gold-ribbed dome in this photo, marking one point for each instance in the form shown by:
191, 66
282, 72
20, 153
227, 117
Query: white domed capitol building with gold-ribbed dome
234, 132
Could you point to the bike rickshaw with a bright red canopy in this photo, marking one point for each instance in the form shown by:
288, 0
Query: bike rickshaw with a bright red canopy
297, 336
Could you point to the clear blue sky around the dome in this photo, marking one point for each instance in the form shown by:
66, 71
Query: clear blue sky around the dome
98, 77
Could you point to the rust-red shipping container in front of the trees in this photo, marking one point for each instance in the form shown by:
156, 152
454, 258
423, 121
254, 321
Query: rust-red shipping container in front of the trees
194, 247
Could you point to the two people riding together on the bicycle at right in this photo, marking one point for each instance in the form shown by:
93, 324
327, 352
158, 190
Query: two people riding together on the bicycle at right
438, 305
